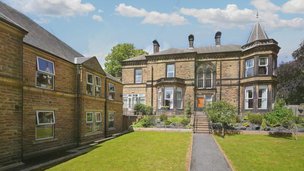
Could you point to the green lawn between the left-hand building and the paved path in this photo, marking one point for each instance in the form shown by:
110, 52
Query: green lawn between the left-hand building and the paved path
135, 151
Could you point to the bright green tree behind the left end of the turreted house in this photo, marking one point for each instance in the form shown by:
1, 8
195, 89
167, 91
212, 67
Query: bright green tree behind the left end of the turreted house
119, 53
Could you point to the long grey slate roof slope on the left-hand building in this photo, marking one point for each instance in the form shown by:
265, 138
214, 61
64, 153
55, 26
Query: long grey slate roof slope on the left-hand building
38, 36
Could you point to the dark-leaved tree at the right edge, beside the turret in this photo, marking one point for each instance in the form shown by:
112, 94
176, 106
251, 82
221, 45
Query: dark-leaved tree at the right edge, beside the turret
291, 78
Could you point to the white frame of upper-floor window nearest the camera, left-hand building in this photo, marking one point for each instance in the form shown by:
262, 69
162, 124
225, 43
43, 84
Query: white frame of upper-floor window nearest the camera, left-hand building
44, 72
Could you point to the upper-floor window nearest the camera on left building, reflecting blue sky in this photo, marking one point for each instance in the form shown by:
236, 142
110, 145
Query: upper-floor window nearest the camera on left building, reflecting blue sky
45, 73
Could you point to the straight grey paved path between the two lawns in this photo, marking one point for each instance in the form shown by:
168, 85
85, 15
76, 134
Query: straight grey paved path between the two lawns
206, 156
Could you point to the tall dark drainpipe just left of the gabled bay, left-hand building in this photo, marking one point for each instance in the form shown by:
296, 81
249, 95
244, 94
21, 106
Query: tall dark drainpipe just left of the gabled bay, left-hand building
78, 103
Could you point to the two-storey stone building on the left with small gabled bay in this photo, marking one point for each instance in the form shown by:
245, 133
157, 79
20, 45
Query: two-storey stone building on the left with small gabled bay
51, 96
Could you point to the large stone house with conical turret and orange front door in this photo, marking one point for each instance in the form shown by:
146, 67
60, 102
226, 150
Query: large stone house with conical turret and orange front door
243, 75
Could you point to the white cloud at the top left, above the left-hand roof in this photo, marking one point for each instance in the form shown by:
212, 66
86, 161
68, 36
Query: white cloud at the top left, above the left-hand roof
54, 8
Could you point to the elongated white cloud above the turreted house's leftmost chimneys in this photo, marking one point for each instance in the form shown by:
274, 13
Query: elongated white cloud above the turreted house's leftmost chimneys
152, 17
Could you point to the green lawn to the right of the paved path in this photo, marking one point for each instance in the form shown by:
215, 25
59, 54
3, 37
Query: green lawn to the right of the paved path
262, 152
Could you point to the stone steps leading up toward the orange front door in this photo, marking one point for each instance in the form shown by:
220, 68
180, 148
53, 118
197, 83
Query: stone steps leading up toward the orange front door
201, 124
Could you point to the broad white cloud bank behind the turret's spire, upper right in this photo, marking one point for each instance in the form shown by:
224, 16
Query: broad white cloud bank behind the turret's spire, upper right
232, 16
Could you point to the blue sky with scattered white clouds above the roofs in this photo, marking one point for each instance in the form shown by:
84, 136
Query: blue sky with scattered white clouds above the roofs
93, 27
